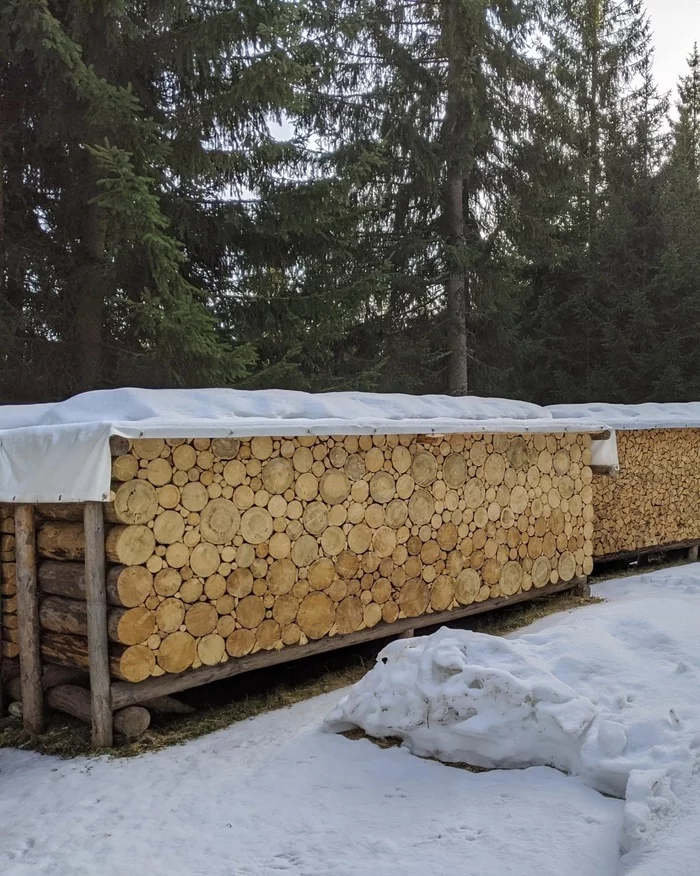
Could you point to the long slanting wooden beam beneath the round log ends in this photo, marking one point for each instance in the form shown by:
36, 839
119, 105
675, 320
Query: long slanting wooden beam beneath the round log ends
126, 693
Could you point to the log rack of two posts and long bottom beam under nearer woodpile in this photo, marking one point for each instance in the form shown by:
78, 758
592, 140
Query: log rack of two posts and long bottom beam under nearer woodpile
110, 705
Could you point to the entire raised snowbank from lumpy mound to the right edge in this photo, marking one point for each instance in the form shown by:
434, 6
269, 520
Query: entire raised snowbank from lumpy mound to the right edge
607, 693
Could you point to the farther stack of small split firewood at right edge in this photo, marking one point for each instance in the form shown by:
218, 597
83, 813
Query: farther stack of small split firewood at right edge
653, 499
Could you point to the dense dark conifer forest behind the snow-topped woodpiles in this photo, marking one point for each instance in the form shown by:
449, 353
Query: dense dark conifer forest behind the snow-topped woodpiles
422, 196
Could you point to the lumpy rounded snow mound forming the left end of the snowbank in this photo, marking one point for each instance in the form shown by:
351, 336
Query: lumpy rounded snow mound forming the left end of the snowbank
468, 697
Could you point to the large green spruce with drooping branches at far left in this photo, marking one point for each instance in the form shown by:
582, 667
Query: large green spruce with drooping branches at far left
134, 138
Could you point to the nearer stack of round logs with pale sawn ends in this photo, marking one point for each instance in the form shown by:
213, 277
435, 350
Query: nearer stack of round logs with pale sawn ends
222, 548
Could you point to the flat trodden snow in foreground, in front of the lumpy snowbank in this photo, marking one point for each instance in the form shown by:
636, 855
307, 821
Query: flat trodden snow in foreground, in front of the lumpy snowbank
277, 795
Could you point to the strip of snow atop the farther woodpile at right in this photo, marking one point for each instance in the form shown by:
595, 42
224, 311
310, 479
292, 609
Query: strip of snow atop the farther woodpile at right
651, 415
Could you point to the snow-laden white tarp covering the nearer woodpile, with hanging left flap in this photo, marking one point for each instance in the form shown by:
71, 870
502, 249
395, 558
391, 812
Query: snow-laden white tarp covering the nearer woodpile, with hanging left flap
60, 452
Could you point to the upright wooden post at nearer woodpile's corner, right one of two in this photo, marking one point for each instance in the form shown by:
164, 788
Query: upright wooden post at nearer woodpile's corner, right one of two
98, 648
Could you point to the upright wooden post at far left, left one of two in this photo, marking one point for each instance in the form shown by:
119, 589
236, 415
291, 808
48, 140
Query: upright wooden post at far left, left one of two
28, 620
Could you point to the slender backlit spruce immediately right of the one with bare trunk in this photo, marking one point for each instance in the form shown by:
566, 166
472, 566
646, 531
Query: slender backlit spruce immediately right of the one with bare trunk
594, 56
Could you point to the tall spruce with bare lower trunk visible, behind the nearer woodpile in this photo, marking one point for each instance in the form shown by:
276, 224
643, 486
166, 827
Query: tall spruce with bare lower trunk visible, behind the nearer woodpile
424, 92
